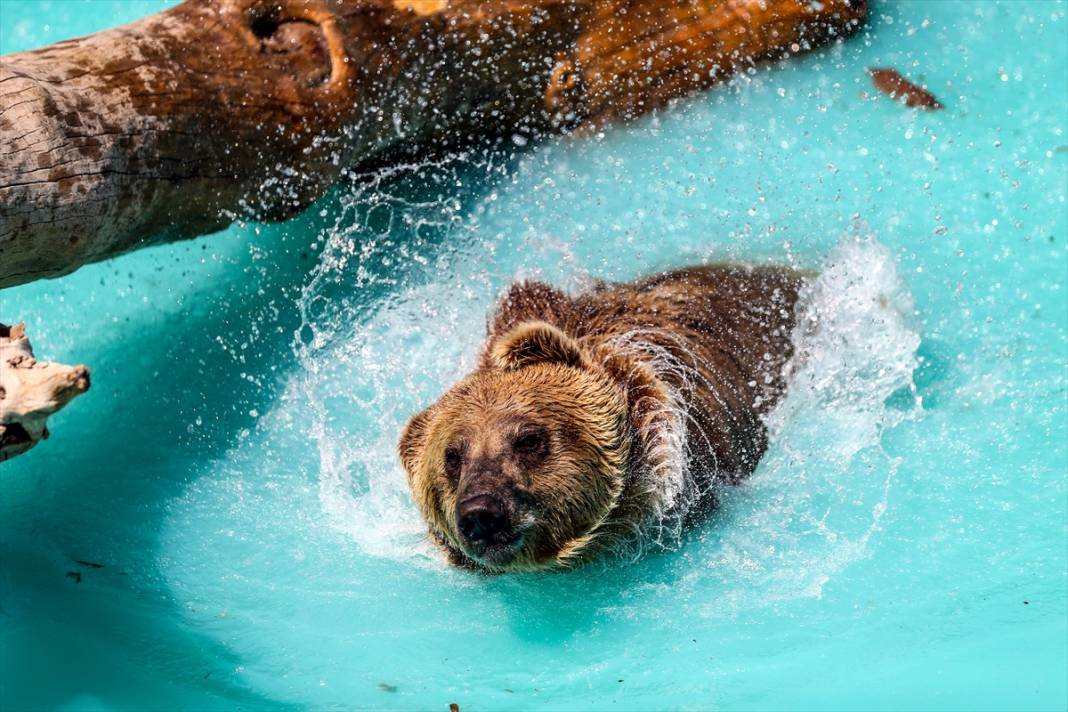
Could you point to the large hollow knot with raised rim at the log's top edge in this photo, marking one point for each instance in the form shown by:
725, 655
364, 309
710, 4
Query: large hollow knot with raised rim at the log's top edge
299, 40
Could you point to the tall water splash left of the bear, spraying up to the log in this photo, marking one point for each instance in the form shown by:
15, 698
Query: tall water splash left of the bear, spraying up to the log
378, 304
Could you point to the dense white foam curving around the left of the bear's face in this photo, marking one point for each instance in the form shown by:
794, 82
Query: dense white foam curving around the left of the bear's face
363, 486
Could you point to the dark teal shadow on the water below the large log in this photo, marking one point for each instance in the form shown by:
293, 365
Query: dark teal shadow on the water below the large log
83, 515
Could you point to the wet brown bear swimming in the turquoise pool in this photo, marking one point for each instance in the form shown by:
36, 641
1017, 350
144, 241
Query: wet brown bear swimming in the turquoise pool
591, 418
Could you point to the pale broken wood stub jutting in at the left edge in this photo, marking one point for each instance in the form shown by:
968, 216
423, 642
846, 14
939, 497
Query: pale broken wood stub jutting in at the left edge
32, 391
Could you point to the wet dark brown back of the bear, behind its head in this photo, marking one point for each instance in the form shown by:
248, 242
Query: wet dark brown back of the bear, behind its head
718, 336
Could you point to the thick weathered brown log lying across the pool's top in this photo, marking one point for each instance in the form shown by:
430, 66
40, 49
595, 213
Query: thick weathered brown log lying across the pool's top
178, 124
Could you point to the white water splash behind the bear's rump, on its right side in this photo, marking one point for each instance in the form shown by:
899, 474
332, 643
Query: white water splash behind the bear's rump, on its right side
824, 486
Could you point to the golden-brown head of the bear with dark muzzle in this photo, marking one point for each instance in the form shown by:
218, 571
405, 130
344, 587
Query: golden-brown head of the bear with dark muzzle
520, 465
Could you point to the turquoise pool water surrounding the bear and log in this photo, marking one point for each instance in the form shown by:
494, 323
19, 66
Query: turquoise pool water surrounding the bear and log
903, 546
